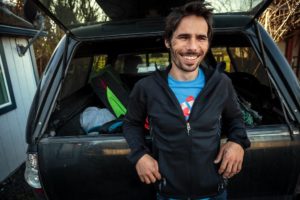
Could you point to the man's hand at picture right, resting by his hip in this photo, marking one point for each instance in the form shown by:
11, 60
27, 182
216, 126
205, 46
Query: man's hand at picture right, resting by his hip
231, 154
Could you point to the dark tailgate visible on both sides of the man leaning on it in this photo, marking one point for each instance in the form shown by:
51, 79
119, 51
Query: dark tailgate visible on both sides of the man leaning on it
89, 167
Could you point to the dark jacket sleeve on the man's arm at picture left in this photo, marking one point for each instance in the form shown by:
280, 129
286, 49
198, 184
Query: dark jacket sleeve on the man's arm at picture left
134, 120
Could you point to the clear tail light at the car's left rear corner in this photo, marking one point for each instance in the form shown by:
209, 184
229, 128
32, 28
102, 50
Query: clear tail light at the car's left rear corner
31, 172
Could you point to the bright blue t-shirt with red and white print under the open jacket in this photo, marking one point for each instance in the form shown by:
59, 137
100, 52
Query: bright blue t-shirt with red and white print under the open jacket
187, 91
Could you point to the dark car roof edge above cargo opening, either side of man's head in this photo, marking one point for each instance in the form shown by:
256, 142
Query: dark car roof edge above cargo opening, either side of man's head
151, 27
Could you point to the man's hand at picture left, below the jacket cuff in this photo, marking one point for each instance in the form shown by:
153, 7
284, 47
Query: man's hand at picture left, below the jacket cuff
147, 169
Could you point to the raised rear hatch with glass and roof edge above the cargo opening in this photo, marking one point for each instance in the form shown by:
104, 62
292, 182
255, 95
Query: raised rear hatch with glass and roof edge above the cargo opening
80, 18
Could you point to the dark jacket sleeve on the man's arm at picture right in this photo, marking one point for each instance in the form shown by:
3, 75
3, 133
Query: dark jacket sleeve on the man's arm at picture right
232, 120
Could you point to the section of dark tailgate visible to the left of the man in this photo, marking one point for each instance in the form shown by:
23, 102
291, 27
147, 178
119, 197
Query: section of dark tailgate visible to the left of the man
89, 168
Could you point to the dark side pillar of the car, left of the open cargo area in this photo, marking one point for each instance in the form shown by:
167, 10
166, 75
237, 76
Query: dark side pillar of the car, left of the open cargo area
46, 92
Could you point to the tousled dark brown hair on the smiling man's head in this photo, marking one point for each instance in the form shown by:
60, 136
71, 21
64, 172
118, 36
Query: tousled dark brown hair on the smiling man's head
197, 8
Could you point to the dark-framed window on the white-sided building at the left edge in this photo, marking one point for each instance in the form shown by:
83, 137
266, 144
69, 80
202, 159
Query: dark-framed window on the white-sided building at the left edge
7, 102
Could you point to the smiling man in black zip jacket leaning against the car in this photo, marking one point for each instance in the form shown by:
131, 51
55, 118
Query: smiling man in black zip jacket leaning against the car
186, 105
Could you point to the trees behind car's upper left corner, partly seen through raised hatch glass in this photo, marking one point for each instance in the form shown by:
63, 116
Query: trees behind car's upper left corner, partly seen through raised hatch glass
72, 12
